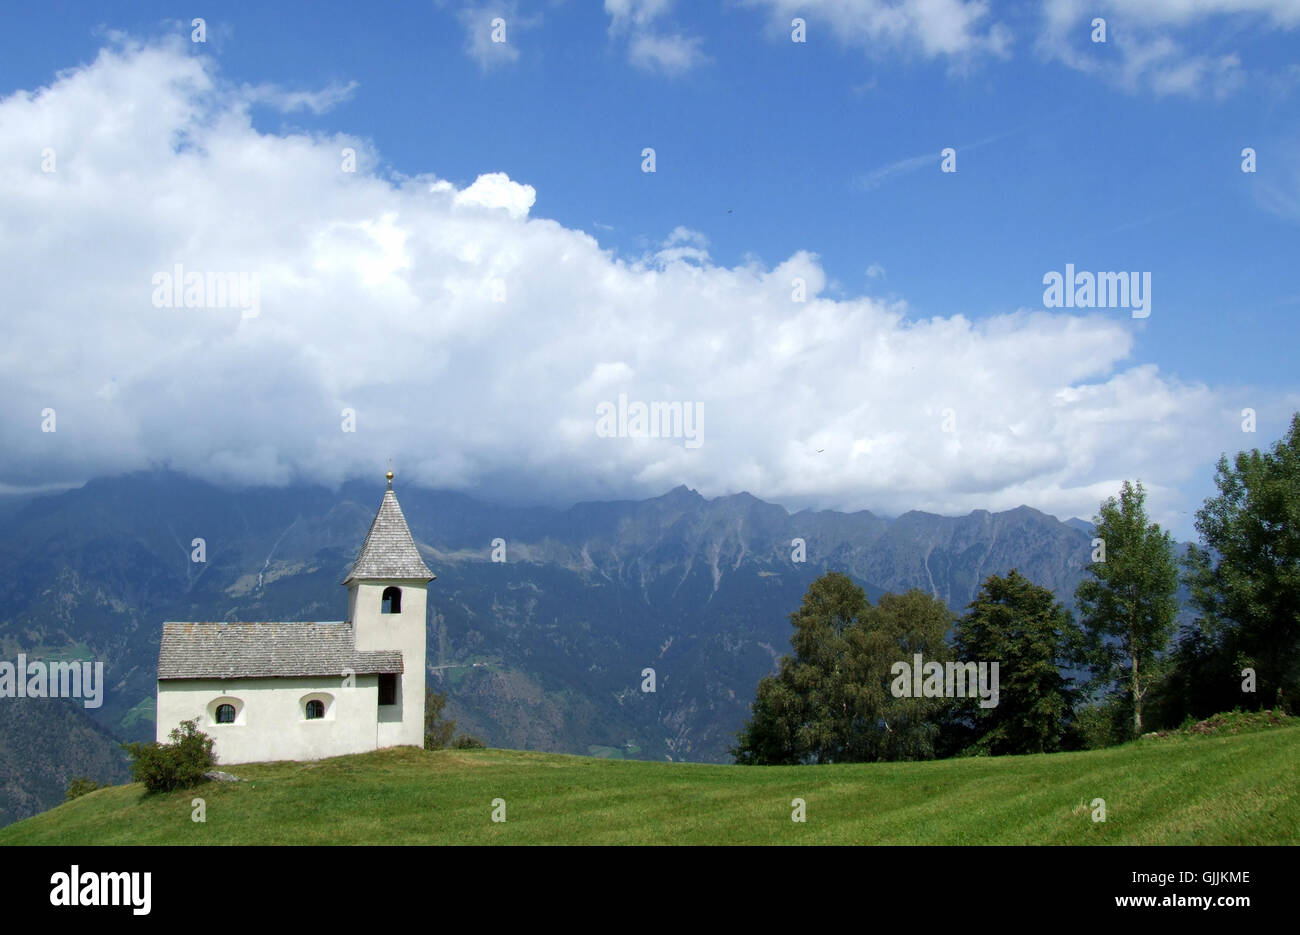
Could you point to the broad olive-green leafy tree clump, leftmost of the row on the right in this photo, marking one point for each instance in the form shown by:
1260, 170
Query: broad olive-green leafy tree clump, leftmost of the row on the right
831, 702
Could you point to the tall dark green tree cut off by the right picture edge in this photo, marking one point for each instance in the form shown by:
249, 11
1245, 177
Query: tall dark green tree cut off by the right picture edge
1246, 578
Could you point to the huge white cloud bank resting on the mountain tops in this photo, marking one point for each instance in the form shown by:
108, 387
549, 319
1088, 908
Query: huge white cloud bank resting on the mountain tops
378, 297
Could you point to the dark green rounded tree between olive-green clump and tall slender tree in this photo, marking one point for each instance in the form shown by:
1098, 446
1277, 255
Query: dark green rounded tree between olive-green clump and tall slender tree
1021, 626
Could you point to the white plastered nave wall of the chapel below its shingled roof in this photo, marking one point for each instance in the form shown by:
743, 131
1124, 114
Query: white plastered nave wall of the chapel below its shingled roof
271, 721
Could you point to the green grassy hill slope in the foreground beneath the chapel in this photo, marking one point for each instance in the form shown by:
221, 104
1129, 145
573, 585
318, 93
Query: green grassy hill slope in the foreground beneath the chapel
1178, 790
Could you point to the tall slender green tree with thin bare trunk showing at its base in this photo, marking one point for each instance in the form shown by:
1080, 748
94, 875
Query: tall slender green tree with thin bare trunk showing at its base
1129, 605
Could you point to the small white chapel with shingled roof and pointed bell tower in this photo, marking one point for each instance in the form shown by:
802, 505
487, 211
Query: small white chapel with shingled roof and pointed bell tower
306, 691
